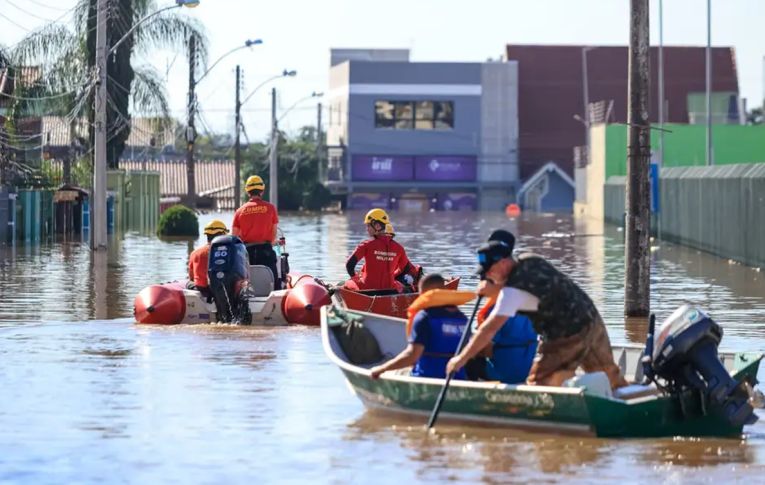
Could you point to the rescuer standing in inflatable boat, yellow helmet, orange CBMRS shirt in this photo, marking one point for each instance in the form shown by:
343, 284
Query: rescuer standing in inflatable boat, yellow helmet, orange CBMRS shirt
255, 223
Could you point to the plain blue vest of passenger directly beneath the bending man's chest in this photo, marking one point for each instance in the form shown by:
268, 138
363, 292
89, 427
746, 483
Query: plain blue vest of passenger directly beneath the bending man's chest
515, 345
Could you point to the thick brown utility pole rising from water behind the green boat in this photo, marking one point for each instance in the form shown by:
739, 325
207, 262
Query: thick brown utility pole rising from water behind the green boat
637, 247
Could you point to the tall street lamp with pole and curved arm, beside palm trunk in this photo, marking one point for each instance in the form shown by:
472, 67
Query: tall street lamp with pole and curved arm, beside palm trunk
98, 238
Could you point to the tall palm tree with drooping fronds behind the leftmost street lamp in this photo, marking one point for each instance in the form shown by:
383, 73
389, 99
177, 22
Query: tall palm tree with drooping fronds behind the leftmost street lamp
66, 55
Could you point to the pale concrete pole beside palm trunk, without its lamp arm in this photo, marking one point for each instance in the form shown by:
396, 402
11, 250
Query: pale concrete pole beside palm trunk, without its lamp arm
98, 239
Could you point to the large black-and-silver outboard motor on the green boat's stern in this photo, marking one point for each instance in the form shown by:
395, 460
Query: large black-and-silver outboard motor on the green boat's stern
685, 356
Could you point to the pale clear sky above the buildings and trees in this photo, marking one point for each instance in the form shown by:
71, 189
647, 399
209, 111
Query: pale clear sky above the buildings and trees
298, 34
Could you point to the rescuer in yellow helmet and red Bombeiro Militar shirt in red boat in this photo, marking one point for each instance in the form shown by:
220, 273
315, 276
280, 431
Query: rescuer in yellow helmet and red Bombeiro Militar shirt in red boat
384, 258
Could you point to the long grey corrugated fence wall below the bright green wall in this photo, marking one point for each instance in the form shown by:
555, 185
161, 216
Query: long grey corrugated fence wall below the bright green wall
718, 209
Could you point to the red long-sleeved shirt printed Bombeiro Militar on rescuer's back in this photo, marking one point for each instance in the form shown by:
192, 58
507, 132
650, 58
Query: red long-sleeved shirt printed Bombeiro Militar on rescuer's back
383, 258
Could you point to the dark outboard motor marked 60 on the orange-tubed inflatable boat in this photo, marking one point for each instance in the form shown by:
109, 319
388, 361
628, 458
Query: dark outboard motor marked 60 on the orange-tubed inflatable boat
228, 274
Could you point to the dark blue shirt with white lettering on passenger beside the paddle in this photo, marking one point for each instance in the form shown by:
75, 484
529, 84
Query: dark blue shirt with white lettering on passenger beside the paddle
444, 330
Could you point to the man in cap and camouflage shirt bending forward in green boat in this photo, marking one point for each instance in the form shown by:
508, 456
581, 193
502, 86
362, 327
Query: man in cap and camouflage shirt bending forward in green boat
571, 330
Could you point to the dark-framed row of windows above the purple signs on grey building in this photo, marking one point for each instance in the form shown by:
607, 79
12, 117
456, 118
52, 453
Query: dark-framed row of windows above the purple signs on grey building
417, 115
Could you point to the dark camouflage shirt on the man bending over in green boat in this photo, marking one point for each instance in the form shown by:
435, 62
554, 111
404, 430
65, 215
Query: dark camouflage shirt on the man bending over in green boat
564, 308
